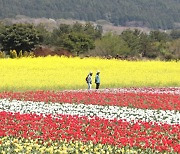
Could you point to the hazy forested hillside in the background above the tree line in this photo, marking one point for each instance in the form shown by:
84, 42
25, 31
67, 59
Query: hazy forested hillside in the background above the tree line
151, 13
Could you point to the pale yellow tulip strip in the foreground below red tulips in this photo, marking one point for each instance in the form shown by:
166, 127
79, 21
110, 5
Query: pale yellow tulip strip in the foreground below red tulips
24, 145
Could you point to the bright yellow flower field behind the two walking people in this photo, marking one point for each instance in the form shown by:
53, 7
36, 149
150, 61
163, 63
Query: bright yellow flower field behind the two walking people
58, 73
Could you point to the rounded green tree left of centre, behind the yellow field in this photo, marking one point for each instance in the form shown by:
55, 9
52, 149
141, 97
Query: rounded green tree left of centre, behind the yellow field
76, 38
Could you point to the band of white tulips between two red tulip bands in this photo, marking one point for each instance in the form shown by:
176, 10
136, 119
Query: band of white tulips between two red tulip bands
107, 112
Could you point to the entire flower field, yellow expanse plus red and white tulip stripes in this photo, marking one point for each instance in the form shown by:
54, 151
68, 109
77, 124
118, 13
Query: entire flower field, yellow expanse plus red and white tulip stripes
46, 108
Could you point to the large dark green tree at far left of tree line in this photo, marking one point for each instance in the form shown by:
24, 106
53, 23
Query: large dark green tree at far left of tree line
19, 37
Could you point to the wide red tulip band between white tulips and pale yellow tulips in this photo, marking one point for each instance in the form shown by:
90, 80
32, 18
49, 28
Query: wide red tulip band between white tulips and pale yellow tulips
162, 137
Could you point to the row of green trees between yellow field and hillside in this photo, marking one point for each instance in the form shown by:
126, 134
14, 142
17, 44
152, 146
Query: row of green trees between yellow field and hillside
89, 40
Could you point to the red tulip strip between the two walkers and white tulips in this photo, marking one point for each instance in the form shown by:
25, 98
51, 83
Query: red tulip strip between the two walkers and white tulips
123, 97
